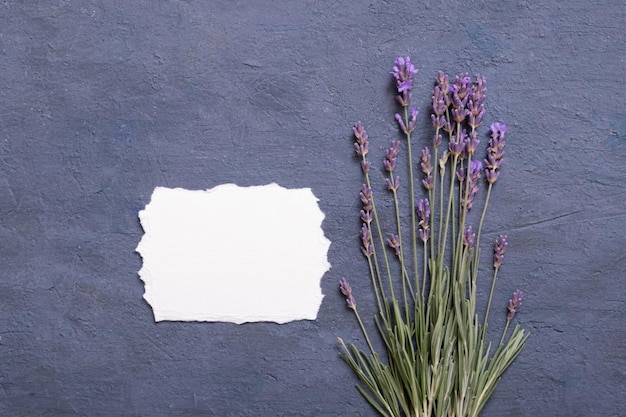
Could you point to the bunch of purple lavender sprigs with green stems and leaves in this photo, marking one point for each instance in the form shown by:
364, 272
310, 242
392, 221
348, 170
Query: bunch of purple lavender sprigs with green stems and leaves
437, 359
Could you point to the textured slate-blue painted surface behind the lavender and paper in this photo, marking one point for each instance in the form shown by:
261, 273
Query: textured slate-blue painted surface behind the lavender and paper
100, 102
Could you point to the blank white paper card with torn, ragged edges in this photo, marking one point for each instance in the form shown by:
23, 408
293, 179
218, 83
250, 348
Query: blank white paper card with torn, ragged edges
233, 254
